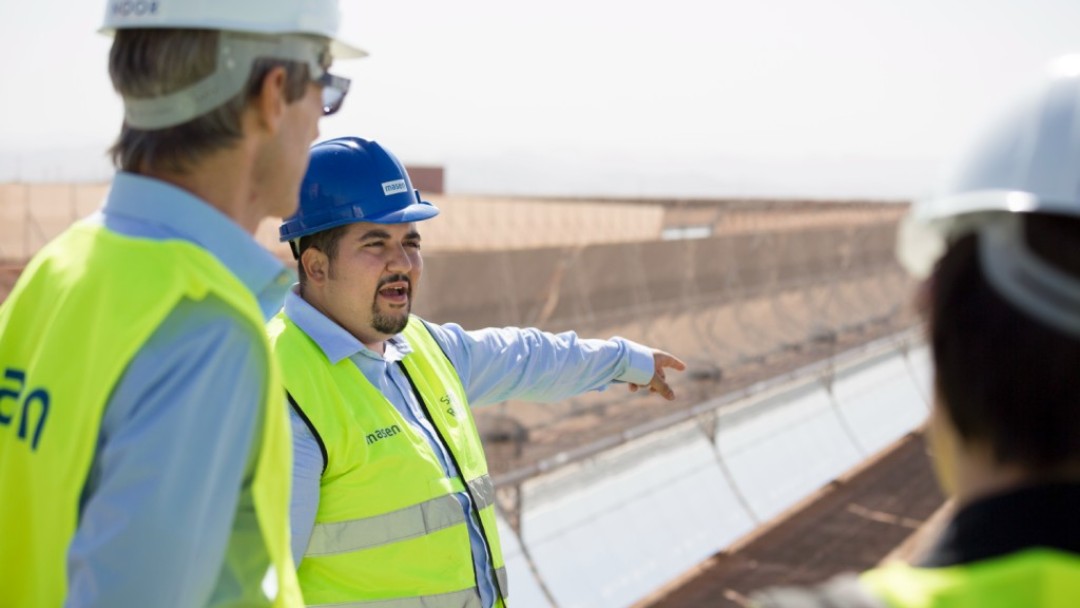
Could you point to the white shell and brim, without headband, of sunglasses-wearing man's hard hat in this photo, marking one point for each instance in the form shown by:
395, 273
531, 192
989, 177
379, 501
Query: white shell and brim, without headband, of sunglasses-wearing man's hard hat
317, 18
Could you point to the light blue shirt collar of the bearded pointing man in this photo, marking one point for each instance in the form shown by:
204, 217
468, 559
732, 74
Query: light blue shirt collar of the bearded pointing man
335, 342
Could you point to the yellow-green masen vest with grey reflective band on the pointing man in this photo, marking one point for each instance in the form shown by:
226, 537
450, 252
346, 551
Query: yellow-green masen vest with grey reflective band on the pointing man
389, 526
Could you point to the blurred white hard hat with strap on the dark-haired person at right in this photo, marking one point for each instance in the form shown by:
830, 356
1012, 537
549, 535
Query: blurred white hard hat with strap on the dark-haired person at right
1030, 163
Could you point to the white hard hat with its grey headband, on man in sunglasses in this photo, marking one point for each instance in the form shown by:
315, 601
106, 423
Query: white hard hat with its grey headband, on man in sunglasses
251, 30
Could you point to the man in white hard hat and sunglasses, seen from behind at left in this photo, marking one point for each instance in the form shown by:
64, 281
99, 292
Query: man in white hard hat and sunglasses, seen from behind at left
145, 454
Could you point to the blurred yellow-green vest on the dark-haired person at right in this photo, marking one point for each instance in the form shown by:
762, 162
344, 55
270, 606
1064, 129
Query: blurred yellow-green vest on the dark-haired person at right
1034, 578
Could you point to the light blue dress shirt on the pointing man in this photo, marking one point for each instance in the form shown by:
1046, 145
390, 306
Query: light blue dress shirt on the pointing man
494, 366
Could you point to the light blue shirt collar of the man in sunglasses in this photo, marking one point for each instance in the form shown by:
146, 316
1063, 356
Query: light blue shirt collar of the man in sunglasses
179, 214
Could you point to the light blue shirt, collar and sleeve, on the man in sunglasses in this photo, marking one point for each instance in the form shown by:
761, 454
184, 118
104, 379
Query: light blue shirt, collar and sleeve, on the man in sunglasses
168, 497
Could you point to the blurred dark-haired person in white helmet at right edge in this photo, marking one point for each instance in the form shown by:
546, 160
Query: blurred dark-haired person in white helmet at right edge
1001, 254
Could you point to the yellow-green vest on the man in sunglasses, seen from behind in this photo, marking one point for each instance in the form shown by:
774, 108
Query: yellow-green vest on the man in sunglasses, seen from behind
80, 313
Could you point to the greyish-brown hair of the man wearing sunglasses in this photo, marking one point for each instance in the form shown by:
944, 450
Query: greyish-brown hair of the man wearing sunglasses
146, 63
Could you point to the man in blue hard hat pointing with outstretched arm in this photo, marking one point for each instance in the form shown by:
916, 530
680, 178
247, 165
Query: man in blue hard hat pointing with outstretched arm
393, 502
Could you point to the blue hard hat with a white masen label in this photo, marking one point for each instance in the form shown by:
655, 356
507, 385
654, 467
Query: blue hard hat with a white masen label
350, 180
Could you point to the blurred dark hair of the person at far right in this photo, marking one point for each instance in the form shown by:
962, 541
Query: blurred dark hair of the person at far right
1007, 380
